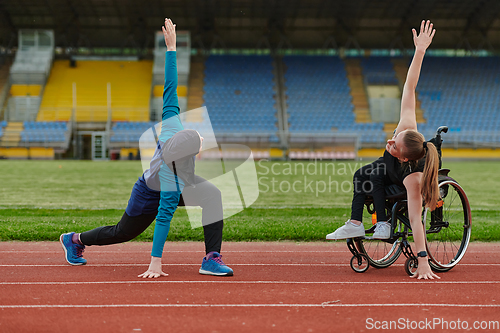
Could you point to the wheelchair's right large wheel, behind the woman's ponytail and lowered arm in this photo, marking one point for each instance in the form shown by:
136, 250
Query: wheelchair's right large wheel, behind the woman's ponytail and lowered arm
448, 227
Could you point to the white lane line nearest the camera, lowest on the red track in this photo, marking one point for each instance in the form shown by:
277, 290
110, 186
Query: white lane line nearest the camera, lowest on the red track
280, 305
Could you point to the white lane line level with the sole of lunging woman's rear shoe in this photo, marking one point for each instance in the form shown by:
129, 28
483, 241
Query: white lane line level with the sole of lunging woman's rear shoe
197, 264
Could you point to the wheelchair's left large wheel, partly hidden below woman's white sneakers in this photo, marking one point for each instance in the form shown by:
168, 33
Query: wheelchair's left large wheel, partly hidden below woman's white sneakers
381, 253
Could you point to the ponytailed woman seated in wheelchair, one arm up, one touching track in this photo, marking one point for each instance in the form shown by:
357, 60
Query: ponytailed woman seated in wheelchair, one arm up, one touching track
408, 161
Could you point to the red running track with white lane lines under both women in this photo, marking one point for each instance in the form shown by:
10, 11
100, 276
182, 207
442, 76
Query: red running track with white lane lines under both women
277, 287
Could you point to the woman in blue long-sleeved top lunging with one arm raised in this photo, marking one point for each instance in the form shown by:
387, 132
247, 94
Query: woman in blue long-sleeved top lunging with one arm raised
170, 182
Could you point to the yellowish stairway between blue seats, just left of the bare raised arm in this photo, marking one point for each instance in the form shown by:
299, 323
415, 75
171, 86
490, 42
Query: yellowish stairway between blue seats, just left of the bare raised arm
358, 92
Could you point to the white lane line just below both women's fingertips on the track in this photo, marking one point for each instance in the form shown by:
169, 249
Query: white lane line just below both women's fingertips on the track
240, 282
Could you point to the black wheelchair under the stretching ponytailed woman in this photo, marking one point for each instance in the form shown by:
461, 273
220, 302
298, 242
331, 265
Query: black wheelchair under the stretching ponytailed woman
447, 228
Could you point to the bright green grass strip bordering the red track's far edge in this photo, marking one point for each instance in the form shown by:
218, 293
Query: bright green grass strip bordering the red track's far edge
298, 224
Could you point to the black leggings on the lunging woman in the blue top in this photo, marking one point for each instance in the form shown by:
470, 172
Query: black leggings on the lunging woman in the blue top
207, 196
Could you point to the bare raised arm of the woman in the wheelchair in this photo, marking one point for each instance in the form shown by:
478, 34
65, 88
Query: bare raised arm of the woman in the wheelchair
408, 119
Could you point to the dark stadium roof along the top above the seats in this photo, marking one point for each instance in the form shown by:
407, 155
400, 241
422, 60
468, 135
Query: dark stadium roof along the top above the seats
472, 24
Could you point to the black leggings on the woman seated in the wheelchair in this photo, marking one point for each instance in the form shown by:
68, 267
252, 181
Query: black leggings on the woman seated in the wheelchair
370, 179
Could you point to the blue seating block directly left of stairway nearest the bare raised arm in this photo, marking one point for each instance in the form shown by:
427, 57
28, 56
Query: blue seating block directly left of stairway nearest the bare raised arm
318, 98
